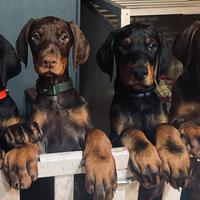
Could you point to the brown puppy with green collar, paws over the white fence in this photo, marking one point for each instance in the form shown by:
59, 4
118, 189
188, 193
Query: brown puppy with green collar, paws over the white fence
60, 113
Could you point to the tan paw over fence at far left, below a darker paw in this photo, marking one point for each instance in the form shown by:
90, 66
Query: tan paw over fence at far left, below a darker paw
20, 166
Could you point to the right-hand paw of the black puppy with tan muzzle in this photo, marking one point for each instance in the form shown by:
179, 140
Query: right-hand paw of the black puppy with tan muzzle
174, 155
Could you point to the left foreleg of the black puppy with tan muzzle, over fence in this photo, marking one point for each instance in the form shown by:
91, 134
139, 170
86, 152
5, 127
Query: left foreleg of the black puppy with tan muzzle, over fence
144, 159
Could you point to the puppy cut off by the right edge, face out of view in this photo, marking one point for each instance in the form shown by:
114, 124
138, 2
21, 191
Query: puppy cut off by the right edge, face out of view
185, 107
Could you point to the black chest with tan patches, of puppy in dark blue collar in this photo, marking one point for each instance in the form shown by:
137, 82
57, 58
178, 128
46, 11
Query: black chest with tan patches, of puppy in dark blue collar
145, 115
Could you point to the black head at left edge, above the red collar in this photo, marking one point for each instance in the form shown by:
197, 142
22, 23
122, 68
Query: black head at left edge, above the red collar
9, 63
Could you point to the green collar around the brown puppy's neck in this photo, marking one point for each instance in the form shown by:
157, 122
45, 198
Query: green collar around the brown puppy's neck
56, 89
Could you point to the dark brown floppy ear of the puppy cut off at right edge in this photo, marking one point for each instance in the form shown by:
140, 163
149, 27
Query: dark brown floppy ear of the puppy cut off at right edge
183, 42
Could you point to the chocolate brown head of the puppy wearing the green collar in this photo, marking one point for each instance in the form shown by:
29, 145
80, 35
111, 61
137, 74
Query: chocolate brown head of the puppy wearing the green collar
50, 40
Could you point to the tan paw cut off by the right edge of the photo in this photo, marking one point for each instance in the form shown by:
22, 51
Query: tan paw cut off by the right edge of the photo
190, 133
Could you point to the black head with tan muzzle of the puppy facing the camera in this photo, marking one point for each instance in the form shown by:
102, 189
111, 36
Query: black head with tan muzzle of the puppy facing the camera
140, 52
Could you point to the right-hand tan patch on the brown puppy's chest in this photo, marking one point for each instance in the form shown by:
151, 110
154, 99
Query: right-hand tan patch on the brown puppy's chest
80, 116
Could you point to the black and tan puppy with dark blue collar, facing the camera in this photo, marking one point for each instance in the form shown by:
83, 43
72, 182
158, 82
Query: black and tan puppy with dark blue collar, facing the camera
139, 120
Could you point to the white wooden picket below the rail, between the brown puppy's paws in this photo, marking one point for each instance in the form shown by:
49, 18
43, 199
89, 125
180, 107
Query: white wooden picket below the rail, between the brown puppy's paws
64, 187
